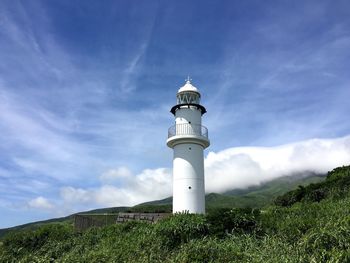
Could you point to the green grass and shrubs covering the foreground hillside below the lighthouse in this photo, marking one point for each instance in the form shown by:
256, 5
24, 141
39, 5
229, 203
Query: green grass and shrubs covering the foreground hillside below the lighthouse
309, 224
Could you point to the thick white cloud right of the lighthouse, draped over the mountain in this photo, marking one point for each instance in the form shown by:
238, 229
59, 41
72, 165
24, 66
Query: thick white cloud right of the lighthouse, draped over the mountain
246, 166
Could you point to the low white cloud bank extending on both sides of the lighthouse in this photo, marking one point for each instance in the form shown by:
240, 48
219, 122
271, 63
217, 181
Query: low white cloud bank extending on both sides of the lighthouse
225, 170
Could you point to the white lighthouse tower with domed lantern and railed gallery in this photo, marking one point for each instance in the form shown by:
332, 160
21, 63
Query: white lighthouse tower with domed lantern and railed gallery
188, 138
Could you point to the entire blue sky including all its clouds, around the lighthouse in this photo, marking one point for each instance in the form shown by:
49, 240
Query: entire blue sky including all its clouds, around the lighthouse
86, 88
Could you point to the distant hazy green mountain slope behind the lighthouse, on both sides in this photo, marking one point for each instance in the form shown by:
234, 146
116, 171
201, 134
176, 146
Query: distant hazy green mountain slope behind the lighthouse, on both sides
255, 196
